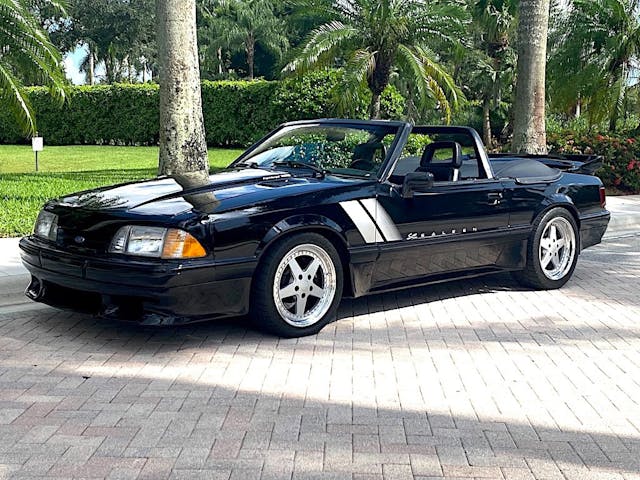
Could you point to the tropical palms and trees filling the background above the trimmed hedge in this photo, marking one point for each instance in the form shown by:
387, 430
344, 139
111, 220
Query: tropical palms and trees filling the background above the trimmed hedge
449, 60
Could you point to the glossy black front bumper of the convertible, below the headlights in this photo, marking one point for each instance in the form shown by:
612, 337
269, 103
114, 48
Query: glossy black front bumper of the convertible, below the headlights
158, 292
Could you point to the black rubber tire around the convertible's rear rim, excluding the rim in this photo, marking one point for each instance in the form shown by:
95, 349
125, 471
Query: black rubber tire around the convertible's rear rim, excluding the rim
533, 275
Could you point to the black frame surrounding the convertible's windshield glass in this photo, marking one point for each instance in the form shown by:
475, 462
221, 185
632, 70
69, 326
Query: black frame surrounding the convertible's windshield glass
392, 151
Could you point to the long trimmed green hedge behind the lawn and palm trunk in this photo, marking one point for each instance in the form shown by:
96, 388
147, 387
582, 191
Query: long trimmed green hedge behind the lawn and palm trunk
236, 113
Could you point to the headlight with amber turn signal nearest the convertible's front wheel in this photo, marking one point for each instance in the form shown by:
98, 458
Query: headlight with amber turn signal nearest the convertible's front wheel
156, 242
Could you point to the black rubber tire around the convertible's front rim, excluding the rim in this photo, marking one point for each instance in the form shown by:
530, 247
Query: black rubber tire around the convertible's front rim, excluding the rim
263, 311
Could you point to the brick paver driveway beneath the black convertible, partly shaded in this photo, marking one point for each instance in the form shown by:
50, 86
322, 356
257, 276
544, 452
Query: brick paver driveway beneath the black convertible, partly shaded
472, 379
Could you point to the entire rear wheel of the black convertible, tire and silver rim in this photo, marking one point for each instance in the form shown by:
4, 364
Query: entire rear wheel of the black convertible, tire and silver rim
552, 252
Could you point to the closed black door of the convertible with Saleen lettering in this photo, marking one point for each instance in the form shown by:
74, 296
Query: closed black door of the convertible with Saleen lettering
459, 226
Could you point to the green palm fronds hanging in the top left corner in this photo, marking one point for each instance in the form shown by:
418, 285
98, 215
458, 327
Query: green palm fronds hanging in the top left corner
26, 52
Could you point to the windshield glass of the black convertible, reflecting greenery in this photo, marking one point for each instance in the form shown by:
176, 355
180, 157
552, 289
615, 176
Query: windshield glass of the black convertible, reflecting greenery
339, 149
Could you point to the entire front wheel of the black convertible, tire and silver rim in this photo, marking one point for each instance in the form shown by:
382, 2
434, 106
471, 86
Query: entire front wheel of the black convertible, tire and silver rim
297, 286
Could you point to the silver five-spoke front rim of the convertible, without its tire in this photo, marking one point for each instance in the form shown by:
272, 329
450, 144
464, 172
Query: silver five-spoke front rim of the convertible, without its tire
304, 285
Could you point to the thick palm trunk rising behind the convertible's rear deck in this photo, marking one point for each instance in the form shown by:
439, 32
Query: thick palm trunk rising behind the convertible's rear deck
529, 134
